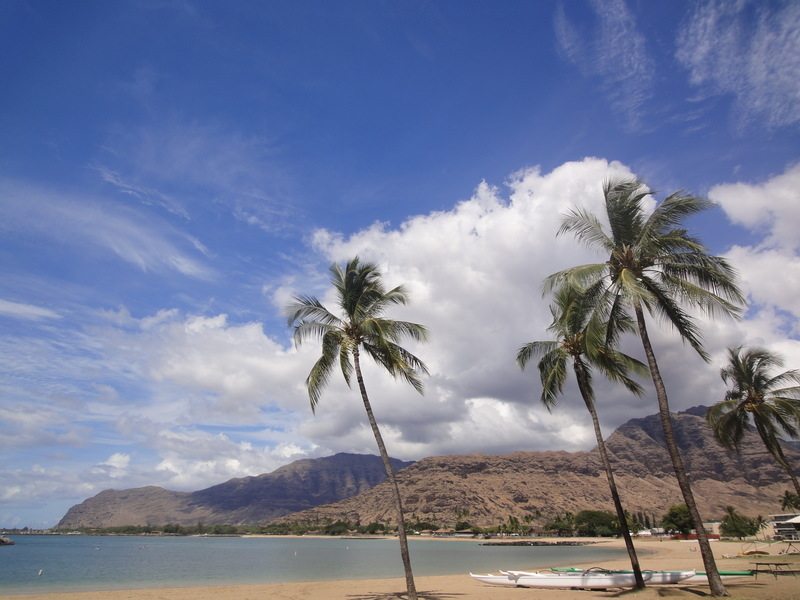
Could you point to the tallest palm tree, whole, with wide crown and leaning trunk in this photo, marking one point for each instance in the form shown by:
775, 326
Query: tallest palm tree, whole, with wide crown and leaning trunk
655, 265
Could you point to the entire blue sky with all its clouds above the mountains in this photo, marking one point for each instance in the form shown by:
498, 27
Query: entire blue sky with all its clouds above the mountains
172, 172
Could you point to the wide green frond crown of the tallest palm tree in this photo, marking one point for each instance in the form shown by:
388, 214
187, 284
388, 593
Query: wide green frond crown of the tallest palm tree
655, 263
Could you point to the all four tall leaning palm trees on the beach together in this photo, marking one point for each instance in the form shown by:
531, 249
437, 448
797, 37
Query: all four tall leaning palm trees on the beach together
653, 266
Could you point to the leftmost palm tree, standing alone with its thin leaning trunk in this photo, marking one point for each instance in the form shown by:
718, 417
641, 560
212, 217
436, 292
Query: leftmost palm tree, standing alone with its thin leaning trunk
362, 299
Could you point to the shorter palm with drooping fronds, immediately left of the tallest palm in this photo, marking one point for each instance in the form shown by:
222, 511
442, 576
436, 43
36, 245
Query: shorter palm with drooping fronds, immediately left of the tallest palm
570, 316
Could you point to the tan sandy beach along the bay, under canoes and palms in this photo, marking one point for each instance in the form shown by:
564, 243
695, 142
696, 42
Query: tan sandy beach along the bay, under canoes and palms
653, 554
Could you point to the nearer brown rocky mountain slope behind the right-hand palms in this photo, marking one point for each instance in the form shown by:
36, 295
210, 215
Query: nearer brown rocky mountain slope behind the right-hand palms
492, 488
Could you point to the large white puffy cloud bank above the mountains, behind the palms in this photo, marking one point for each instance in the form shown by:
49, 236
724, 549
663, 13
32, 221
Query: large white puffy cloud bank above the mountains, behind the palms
190, 400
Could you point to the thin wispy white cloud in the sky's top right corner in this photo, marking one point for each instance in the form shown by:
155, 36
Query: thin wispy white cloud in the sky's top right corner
750, 50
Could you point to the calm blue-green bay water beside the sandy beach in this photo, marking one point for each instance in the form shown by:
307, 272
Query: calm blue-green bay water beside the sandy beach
81, 563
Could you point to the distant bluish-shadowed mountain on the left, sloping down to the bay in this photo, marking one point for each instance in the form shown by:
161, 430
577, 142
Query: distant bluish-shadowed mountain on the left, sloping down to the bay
294, 487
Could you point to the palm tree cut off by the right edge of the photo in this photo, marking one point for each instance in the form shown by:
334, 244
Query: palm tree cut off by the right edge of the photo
759, 398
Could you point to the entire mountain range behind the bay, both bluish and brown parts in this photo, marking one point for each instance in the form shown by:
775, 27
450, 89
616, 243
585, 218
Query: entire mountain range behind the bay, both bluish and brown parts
486, 488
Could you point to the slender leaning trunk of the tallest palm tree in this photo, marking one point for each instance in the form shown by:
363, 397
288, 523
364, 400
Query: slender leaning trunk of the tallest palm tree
714, 580
